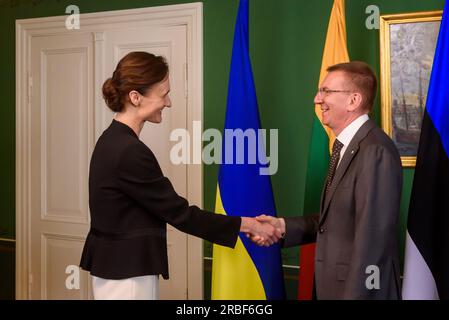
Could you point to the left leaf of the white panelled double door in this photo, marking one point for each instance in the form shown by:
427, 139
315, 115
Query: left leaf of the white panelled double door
62, 138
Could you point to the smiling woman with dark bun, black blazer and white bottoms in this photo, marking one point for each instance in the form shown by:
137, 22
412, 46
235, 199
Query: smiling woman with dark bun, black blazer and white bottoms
130, 199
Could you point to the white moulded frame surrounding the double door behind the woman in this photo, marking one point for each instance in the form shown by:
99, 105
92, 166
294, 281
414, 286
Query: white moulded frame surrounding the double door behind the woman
190, 15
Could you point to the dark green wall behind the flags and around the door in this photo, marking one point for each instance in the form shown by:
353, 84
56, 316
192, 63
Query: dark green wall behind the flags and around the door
286, 43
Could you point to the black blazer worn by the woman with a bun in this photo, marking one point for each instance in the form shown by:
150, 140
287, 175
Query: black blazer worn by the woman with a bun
130, 203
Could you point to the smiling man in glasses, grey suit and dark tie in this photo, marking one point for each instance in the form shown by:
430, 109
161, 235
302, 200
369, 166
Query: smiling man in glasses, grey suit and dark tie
355, 232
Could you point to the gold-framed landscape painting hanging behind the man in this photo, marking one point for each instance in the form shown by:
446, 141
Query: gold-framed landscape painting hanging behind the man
407, 47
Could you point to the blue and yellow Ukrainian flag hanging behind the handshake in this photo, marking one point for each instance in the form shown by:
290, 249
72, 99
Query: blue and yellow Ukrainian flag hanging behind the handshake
247, 271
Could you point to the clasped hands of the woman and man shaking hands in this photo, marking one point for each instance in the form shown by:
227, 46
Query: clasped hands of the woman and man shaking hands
263, 230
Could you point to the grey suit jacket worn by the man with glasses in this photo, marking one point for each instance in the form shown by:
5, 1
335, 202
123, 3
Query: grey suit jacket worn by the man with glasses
357, 225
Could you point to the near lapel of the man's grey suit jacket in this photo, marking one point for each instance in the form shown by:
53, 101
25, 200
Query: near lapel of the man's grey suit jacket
350, 153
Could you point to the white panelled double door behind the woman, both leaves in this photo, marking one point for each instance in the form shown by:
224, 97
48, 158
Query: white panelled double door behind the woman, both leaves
64, 128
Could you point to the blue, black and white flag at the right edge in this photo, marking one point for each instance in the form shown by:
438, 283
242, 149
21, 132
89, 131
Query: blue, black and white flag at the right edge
426, 267
